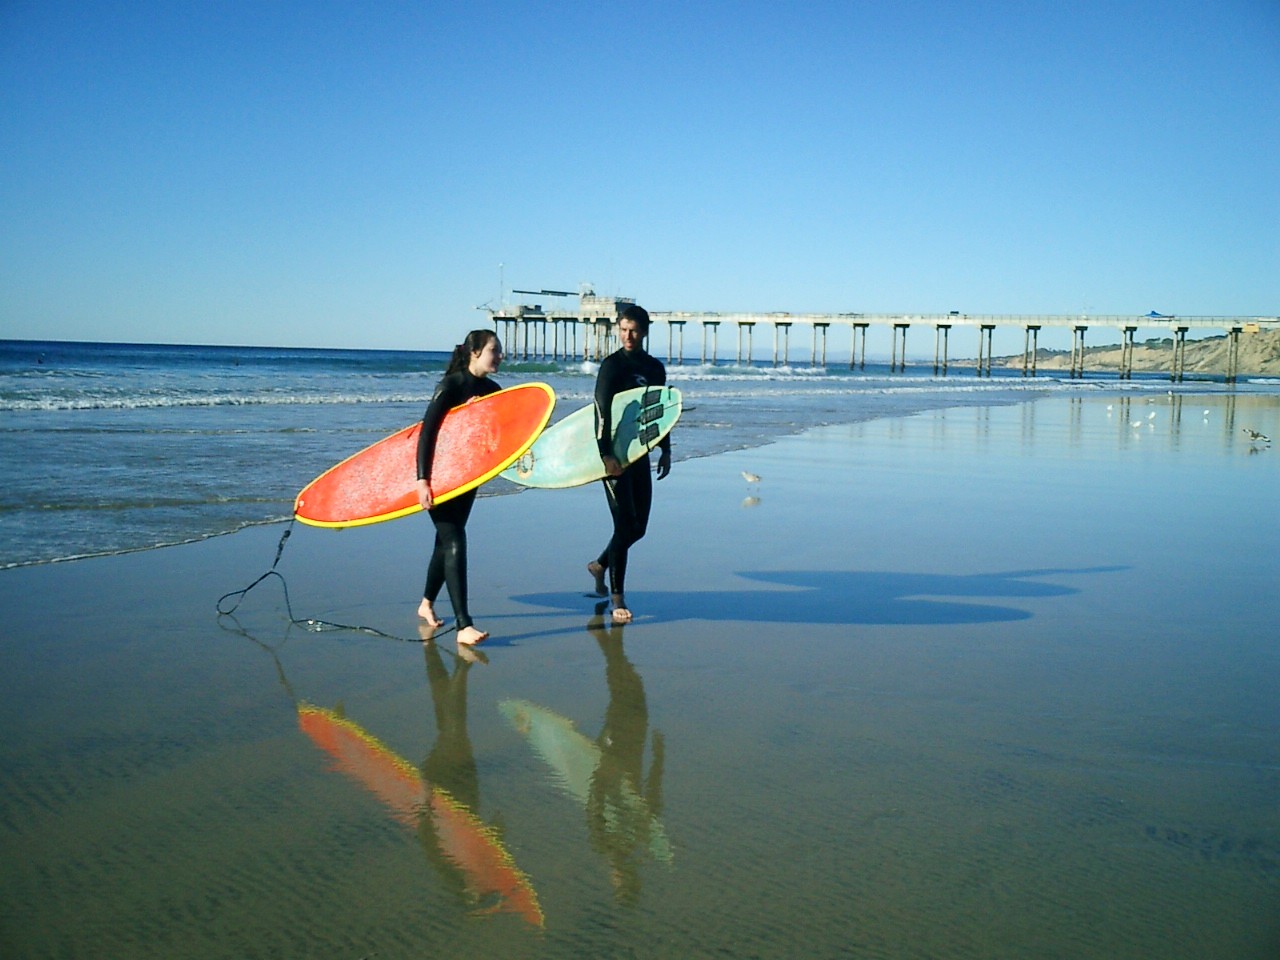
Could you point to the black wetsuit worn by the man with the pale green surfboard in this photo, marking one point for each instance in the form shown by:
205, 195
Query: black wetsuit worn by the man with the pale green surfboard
632, 495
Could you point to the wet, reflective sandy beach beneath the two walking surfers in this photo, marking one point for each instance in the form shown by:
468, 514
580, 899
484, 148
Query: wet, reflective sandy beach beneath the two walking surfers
979, 683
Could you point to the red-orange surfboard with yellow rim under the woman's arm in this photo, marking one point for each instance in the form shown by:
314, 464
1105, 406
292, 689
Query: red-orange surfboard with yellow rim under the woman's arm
477, 442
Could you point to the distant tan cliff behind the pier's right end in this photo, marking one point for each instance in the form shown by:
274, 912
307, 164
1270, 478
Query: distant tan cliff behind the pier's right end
1260, 356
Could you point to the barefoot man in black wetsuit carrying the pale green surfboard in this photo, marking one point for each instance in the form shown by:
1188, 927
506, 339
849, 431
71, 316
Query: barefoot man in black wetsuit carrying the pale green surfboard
629, 491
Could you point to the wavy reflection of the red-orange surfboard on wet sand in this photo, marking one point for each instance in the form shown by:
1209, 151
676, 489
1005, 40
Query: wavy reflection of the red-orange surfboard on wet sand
465, 840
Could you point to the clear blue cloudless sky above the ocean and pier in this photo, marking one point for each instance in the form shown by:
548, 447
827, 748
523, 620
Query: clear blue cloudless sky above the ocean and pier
365, 175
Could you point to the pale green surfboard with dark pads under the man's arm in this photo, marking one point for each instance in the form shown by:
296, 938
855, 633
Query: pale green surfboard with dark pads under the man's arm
566, 454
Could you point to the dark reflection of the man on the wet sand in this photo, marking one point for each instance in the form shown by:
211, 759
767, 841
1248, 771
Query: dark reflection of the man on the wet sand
623, 806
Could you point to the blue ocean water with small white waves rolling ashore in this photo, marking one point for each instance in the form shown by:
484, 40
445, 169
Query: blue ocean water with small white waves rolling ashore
111, 449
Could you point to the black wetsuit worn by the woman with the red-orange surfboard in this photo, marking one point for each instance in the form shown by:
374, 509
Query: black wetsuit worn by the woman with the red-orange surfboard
449, 564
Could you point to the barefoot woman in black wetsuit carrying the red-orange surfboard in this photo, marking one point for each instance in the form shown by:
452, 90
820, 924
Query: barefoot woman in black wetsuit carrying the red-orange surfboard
465, 380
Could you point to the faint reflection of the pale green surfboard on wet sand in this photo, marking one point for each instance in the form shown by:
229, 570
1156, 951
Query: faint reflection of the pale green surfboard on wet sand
575, 761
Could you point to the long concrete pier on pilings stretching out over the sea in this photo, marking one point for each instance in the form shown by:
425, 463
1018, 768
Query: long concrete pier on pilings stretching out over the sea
531, 333
